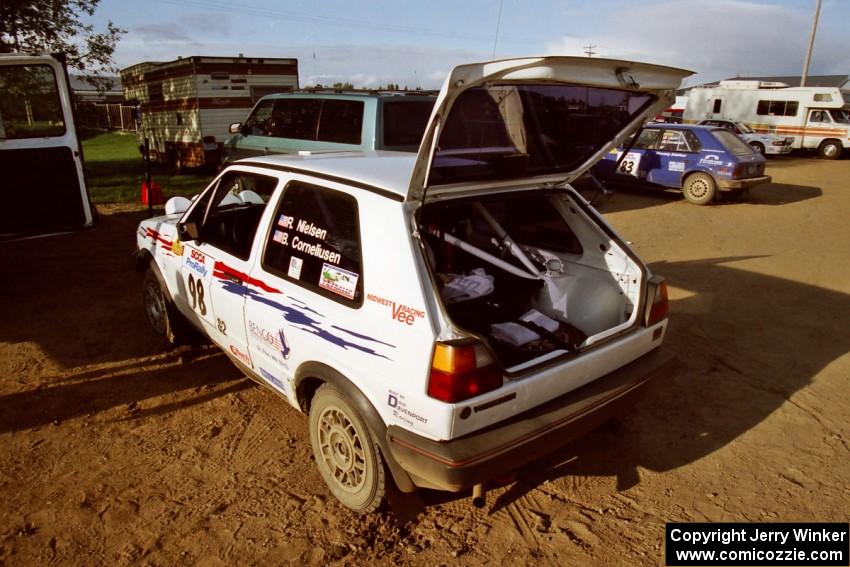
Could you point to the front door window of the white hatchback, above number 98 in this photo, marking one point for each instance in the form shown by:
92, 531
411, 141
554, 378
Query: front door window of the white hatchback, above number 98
228, 215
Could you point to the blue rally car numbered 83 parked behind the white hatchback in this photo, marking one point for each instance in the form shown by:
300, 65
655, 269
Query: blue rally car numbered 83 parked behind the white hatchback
701, 161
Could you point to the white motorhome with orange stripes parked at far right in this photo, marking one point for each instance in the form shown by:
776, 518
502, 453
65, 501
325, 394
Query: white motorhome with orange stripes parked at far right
818, 118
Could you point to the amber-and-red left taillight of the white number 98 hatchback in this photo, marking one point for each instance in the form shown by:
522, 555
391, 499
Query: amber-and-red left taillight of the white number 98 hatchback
460, 372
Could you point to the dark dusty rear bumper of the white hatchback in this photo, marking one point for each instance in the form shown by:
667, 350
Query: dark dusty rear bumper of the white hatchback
506, 446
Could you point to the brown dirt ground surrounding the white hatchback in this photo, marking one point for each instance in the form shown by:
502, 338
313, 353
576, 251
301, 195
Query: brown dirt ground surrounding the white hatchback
113, 451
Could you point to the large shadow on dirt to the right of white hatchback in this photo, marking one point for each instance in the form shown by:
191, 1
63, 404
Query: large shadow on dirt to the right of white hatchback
738, 363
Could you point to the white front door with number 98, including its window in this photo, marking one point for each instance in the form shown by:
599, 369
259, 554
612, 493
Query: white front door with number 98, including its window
216, 264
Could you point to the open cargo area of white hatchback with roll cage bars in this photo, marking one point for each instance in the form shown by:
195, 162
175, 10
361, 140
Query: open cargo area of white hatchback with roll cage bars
530, 273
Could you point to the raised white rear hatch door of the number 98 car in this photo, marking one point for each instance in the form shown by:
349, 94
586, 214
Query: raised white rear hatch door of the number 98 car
534, 121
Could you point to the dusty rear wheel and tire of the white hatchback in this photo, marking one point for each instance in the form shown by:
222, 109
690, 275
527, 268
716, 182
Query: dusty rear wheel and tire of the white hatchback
348, 460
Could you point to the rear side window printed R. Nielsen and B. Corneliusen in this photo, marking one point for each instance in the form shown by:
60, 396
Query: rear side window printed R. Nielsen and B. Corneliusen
315, 242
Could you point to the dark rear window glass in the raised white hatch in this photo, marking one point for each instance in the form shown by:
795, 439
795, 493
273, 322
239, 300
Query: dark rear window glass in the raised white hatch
505, 131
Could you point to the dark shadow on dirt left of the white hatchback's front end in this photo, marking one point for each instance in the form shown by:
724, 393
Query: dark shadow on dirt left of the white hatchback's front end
77, 295
